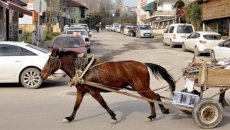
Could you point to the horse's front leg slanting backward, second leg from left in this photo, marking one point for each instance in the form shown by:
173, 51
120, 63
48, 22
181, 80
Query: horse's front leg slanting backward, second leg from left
96, 95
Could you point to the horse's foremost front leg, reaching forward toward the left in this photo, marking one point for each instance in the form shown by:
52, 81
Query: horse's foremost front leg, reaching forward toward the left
79, 96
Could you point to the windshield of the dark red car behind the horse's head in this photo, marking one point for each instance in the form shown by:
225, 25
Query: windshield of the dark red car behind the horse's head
68, 42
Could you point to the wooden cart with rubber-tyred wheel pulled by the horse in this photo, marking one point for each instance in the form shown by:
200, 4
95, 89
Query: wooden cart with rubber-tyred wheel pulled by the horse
207, 113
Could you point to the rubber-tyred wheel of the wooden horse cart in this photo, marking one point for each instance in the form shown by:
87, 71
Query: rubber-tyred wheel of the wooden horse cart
207, 113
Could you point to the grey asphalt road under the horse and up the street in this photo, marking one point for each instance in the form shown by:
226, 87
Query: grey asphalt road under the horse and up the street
44, 108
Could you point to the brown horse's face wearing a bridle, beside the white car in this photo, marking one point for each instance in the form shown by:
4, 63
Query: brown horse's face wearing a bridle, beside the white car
52, 64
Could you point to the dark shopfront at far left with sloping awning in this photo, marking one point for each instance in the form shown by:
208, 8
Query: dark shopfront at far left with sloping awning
10, 11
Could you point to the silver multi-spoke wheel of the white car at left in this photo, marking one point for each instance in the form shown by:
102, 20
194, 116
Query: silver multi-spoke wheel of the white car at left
30, 78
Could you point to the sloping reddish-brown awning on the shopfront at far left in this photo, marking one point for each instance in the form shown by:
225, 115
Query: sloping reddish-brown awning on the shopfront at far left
19, 8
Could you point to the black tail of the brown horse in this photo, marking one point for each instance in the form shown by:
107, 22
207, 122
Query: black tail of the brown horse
161, 72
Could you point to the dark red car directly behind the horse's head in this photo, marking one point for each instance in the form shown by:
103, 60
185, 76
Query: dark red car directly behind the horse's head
69, 42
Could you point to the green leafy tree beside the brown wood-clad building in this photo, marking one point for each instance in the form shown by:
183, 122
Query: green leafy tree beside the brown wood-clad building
193, 14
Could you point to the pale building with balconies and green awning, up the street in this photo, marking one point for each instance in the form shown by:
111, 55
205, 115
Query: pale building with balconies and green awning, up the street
161, 13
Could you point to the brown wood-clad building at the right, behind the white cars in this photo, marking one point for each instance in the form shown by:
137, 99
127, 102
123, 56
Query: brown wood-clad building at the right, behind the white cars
216, 16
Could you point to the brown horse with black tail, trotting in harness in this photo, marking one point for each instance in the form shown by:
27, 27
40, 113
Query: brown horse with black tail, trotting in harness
117, 74
